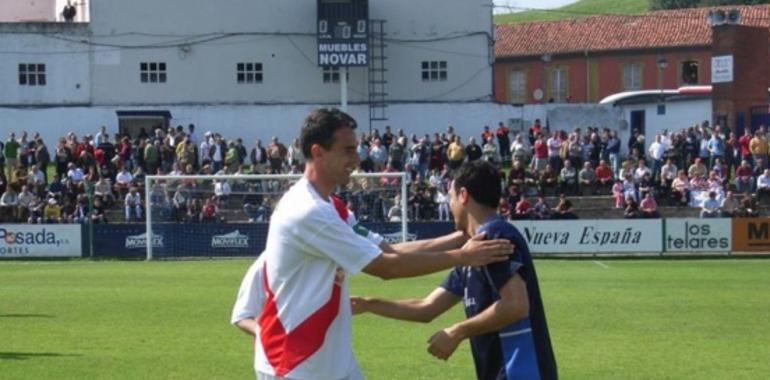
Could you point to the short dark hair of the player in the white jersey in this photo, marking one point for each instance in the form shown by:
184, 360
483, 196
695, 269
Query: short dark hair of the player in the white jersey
319, 127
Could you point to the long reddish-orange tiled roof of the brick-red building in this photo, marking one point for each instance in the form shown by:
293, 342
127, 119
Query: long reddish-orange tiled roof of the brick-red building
682, 27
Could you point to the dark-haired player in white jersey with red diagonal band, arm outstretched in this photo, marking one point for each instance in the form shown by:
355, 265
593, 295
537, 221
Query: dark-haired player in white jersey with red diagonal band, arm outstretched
300, 315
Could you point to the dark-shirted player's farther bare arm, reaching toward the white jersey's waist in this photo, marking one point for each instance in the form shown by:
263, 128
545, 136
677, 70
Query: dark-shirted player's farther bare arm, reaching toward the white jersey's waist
415, 310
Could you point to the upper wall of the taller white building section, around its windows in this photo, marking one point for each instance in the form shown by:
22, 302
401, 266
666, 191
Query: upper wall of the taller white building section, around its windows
207, 39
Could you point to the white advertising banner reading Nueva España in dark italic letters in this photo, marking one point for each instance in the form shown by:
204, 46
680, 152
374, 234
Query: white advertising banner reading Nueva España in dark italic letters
592, 236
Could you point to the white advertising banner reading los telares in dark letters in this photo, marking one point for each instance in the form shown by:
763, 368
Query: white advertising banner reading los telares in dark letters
698, 235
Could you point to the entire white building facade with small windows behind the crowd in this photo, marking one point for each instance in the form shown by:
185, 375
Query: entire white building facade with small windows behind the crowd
244, 68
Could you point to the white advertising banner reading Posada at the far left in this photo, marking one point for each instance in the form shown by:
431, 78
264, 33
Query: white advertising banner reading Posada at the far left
40, 240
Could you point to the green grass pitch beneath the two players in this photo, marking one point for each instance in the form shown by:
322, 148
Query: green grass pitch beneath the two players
633, 319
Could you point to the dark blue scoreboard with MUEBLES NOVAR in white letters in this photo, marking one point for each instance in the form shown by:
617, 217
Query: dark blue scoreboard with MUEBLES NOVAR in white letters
343, 33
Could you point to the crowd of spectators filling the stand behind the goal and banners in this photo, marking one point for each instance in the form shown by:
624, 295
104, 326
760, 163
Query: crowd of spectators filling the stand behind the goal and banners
699, 166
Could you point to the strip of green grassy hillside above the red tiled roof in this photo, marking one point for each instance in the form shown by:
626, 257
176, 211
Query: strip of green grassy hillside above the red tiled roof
582, 8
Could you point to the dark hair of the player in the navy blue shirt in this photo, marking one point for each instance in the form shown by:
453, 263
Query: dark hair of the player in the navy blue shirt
482, 180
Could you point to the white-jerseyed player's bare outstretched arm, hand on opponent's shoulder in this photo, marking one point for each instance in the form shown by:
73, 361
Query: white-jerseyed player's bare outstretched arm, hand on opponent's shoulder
476, 252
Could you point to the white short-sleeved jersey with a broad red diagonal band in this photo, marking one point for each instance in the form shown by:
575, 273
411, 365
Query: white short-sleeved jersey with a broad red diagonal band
300, 294
